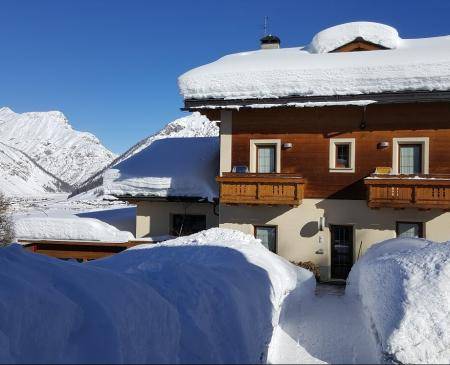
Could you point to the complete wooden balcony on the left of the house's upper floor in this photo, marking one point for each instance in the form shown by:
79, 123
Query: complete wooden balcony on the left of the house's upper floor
261, 189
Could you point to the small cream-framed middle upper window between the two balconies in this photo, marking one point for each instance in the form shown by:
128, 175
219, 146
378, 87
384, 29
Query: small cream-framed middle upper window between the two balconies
342, 155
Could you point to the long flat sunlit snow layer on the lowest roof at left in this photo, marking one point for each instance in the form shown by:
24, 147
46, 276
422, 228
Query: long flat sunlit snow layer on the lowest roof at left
70, 228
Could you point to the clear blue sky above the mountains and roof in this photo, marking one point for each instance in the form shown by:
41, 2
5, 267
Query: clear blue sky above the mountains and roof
112, 66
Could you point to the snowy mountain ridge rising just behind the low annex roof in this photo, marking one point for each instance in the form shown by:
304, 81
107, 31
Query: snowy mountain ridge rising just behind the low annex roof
193, 125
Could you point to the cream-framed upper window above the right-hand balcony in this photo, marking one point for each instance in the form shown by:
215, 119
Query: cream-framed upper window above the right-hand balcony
410, 156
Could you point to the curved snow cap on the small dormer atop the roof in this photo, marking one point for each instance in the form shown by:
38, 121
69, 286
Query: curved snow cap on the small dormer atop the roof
334, 37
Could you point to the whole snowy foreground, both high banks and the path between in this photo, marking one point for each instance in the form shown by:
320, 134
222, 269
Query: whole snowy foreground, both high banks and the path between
220, 296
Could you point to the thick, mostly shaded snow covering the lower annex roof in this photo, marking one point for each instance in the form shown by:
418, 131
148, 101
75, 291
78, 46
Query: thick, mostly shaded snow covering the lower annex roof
177, 167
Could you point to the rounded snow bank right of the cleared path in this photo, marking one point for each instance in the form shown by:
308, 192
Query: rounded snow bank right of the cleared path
404, 286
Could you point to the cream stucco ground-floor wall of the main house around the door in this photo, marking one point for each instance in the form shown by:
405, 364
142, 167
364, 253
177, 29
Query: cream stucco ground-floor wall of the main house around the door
298, 235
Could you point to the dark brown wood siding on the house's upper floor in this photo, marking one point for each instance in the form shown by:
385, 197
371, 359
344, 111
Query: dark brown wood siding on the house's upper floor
310, 130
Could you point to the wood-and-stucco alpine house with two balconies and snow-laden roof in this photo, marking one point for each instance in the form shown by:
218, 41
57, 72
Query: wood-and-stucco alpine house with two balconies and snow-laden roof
328, 148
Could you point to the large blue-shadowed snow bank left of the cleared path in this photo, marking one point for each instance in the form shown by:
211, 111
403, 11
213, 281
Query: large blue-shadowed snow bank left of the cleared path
213, 297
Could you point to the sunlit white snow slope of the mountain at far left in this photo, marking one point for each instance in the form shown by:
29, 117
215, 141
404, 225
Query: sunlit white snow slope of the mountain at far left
48, 140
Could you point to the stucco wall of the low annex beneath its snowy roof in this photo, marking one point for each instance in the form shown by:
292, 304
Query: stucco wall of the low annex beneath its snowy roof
154, 218
